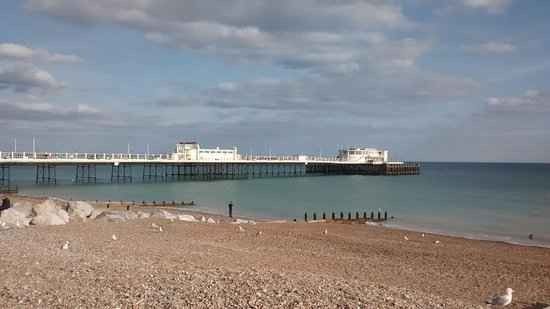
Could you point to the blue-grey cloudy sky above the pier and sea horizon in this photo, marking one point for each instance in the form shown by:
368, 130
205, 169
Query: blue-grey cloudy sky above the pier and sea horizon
430, 80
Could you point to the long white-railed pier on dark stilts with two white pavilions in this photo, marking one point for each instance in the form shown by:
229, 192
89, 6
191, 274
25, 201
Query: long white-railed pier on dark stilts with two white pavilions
191, 164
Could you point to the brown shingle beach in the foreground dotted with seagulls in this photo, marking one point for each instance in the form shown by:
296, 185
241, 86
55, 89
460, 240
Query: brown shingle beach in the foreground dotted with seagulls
260, 265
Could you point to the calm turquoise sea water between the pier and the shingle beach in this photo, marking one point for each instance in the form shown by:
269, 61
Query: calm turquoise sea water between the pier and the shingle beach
487, 201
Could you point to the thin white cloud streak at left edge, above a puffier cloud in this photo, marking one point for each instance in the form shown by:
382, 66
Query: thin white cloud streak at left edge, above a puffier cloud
24, 53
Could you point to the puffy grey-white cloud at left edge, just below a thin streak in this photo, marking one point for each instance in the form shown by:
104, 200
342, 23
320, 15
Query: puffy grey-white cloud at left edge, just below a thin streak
26, 77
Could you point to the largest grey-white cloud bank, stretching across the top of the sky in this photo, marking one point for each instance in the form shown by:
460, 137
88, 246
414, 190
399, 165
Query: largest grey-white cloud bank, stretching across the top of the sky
297, 34
